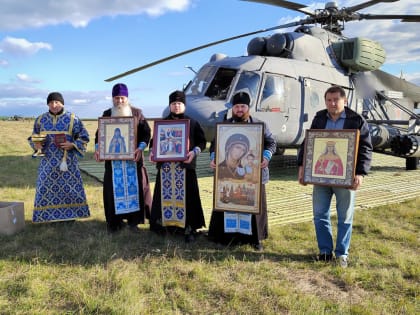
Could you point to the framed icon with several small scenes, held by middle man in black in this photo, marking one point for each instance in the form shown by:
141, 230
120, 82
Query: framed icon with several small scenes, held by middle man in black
170, 140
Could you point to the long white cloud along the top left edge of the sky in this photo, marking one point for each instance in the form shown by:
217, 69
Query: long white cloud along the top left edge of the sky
23, 14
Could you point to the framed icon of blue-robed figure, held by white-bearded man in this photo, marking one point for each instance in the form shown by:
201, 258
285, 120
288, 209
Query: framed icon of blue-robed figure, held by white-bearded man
116, 138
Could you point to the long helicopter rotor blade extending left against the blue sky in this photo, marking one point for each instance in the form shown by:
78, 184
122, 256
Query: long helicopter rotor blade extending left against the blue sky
301, 22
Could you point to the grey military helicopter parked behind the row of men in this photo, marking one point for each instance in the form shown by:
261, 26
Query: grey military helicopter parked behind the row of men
286, 75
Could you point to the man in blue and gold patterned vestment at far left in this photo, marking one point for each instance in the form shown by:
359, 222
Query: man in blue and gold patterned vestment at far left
60, 195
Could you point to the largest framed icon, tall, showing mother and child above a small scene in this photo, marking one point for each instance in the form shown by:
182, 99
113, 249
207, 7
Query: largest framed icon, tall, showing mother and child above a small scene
237, 180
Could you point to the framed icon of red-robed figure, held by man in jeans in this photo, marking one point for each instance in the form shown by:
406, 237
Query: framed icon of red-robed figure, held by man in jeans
330, 157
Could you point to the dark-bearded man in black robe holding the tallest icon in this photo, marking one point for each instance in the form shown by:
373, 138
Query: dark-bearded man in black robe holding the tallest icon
259, 223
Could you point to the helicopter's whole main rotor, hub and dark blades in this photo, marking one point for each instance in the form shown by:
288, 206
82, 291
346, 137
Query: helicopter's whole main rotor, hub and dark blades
331, 19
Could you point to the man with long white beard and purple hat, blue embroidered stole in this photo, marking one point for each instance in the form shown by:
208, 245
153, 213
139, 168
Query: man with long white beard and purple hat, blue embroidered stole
126, 191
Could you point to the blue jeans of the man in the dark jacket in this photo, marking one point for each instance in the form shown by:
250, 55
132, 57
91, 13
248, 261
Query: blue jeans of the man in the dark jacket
321, 202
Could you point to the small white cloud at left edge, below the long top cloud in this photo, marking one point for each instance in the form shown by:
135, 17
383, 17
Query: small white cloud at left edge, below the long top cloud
21, 46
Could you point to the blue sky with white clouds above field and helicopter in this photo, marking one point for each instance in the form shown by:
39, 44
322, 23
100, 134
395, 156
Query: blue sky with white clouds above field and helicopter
72, 46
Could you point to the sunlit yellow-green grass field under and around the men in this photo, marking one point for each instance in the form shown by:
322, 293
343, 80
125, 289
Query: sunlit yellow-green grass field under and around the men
77, 268
